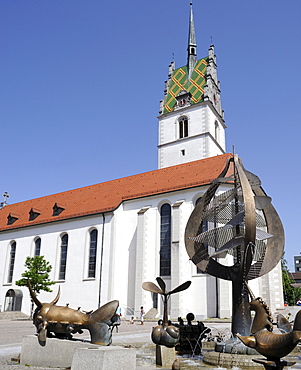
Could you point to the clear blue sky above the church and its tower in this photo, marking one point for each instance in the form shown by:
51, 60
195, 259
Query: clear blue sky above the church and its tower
81, 82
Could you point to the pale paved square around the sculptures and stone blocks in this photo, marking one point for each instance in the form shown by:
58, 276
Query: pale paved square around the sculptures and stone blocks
136, 335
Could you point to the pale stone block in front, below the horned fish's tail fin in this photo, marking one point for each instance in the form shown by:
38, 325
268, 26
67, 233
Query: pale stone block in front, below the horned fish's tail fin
104, 358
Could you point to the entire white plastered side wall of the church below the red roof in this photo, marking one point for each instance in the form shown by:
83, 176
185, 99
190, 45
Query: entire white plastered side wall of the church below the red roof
130, 246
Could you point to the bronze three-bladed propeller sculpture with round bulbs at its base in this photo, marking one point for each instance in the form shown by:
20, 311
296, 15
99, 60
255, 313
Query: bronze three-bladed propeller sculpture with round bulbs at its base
165, 334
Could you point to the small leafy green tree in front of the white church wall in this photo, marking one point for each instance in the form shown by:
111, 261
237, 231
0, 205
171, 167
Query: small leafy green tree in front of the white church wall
37, 272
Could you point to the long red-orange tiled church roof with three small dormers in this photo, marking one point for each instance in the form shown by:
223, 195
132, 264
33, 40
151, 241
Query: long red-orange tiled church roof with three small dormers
107, 196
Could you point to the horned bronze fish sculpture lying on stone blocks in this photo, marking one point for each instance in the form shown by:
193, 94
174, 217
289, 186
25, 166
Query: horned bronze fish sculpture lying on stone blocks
65, 321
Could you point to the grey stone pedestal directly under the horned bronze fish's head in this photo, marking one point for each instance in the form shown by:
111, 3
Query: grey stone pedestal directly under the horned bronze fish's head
56, 352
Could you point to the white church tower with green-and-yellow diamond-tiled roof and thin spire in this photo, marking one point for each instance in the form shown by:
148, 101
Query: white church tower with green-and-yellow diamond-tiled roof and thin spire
191, 120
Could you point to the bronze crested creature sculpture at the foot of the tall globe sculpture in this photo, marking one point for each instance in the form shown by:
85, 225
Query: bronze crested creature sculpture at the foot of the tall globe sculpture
271, 345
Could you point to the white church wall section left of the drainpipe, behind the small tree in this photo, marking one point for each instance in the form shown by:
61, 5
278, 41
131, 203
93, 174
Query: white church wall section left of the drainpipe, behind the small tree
75, 290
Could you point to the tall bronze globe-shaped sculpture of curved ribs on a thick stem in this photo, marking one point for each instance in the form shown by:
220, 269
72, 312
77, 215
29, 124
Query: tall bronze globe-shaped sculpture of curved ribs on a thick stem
238, 220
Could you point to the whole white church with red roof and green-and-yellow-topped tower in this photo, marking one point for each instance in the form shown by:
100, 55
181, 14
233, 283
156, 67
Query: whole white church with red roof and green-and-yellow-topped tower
103, 241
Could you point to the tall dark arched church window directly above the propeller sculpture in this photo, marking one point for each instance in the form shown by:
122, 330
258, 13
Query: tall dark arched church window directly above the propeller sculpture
165, 240
